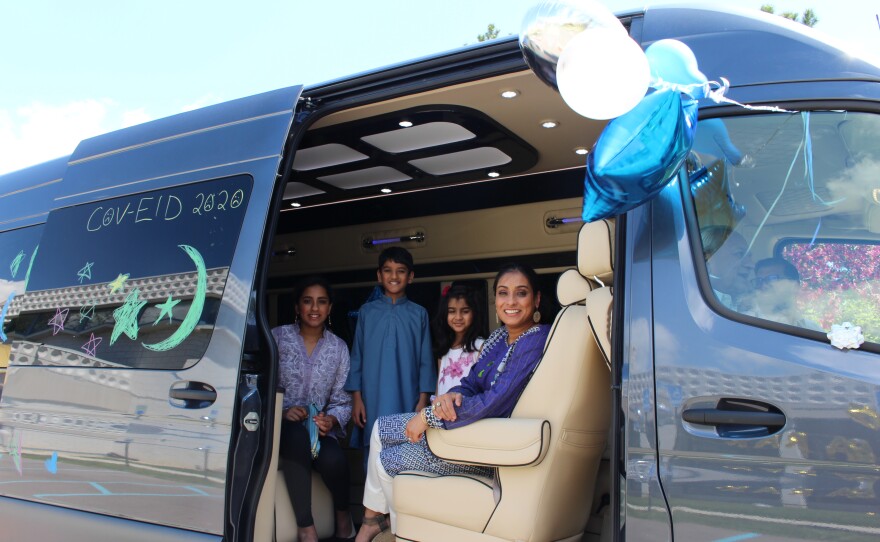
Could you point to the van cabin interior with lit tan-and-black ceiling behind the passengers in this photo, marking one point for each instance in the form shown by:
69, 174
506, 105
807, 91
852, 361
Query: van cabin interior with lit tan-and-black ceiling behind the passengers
466, 177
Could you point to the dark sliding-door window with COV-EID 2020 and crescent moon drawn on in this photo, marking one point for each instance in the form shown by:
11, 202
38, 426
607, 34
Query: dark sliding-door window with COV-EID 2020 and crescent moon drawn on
134, 281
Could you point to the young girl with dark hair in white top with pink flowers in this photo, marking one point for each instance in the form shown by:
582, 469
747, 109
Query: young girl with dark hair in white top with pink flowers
456, 327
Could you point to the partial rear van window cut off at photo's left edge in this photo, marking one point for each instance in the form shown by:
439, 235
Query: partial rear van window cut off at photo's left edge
17, 249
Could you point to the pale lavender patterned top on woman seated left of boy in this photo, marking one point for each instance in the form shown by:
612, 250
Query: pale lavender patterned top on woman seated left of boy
319, 378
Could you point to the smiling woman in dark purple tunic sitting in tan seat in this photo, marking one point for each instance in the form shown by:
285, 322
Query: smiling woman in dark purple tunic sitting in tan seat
490, 390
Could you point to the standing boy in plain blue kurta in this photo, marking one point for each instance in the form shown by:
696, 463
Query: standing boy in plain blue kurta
392, 367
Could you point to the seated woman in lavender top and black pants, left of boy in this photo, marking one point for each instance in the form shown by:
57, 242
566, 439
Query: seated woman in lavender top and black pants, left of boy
313, 369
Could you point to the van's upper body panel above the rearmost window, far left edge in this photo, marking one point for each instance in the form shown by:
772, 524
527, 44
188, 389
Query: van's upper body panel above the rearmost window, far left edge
26, 195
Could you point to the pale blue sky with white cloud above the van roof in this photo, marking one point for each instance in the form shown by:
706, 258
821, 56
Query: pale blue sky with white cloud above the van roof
73, 70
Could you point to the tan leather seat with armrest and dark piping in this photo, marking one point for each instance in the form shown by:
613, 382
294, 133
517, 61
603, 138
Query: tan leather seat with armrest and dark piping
547, 454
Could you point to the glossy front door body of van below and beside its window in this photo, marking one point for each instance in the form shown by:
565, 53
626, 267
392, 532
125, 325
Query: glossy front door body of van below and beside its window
746, 485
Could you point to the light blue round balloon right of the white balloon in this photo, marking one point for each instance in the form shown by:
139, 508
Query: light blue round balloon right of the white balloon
674, 64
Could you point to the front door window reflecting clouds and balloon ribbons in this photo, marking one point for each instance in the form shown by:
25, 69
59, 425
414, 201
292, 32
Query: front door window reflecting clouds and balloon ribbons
788, 209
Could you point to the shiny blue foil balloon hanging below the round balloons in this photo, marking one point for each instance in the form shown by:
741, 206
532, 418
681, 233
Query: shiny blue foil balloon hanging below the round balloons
638, 154
